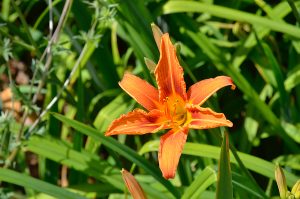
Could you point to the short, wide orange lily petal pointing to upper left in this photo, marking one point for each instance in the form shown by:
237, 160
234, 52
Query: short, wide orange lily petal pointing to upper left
140, 90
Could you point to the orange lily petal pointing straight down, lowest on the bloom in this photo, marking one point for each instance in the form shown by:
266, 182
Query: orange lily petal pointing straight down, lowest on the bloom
170, 149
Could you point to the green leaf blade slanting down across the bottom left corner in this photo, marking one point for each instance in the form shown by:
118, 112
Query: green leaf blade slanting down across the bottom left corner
20, 179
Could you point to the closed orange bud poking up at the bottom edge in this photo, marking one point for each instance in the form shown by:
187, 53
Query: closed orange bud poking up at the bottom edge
132, 185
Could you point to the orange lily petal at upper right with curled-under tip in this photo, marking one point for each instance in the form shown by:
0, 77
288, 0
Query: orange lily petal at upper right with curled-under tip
201, 91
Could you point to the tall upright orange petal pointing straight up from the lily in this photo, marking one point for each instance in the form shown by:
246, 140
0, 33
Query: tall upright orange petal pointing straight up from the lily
168, 72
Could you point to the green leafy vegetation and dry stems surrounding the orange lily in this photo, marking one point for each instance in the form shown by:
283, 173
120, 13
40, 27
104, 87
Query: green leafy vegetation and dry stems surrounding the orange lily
60, 66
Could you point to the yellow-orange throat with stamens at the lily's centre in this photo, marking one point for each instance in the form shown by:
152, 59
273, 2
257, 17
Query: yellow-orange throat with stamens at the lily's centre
175, 111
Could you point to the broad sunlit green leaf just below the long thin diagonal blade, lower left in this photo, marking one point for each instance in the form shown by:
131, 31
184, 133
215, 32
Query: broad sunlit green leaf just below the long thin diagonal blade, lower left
83, 161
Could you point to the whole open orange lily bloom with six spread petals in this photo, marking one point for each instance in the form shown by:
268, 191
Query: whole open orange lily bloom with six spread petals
169, 106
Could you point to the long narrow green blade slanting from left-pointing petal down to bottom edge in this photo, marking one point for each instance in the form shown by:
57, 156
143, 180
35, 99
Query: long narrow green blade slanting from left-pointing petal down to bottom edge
123, 150
